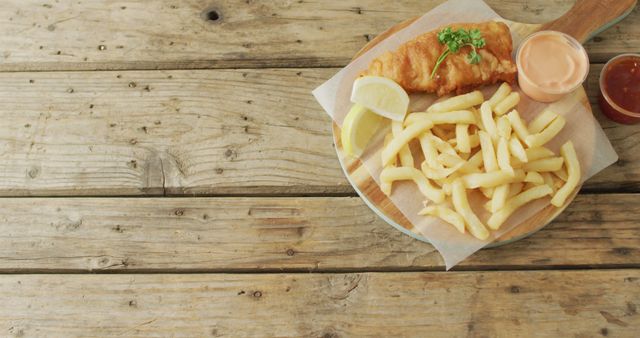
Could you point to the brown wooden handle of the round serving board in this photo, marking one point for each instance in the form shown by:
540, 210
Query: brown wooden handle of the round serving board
587, 18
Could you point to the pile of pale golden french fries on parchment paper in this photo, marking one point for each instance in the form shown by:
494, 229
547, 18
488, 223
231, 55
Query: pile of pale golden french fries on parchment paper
485, 146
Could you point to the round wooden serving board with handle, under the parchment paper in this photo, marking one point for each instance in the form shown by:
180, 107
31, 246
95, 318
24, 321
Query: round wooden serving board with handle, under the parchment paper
586, 19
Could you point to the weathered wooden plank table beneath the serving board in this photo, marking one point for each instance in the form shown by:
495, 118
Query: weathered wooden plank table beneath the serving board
165, 171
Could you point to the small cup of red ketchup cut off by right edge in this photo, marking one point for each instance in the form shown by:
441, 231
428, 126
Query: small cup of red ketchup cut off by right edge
620, 89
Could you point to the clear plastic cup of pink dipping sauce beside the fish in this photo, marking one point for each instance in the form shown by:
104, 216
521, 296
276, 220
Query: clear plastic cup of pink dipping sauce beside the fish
550, 65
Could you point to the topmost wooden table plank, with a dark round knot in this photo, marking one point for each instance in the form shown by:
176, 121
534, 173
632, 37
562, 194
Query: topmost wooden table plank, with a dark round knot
164, 34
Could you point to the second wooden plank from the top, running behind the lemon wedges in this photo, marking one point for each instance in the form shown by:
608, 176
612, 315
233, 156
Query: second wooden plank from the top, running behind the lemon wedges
193, 132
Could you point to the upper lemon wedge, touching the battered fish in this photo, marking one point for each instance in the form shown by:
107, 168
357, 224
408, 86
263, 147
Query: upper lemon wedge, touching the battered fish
382, 96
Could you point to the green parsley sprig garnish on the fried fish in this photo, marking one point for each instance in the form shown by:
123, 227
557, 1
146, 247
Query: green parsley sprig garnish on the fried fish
456, 40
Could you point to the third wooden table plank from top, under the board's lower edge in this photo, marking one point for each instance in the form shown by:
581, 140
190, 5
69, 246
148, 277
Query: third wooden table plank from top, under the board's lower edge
274, 234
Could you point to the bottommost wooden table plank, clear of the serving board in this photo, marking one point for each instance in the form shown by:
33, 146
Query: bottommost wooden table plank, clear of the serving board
501, 304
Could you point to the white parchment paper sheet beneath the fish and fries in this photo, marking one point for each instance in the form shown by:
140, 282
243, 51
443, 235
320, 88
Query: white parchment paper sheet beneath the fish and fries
592, 146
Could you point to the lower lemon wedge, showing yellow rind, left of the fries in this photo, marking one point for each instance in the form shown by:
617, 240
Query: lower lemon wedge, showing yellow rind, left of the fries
358, 128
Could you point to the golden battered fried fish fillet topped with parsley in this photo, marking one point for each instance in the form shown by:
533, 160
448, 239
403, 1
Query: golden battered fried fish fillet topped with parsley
411, 65
